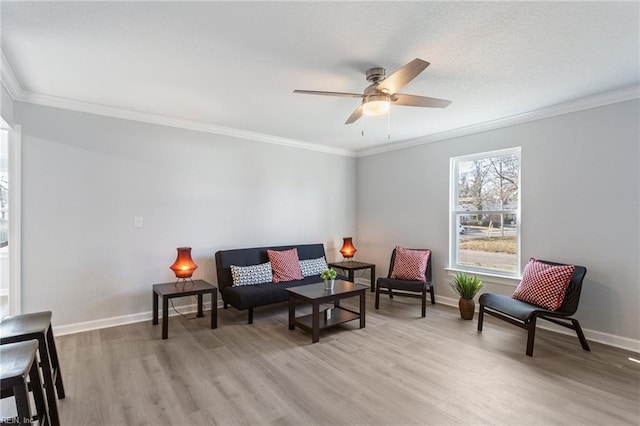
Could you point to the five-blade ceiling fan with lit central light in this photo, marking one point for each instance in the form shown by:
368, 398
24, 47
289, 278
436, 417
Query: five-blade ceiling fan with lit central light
383, 91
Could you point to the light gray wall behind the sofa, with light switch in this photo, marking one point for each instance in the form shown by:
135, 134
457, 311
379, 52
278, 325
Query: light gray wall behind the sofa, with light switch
85, 177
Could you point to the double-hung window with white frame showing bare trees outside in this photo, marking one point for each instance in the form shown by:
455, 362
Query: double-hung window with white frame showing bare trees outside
485, 212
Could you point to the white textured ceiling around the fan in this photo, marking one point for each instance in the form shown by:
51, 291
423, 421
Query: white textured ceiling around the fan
235, 64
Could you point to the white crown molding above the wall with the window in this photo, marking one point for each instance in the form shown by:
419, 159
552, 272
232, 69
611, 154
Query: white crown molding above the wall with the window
582, 104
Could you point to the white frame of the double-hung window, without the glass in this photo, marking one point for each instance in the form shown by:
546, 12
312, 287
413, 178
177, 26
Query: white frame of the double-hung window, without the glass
454, 211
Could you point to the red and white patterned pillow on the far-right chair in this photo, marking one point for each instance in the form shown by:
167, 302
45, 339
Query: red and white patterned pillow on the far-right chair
543, 284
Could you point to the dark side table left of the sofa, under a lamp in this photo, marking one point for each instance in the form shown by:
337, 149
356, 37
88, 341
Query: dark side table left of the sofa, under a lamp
171, 290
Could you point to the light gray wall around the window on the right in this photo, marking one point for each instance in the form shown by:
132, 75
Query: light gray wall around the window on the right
580, 204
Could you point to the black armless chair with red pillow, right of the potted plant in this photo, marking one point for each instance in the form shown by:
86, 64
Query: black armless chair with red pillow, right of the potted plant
537, 286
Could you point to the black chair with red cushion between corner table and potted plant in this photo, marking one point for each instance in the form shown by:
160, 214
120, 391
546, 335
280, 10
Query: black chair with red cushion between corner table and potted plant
409, 275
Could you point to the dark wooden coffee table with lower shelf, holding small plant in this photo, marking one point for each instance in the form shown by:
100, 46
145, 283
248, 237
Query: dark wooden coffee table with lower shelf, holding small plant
315, 294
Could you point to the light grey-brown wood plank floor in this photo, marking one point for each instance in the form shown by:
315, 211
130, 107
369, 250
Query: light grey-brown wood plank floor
400, 369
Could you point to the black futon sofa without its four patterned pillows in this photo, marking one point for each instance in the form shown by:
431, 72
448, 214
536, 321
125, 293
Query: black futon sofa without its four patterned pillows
252, 296
